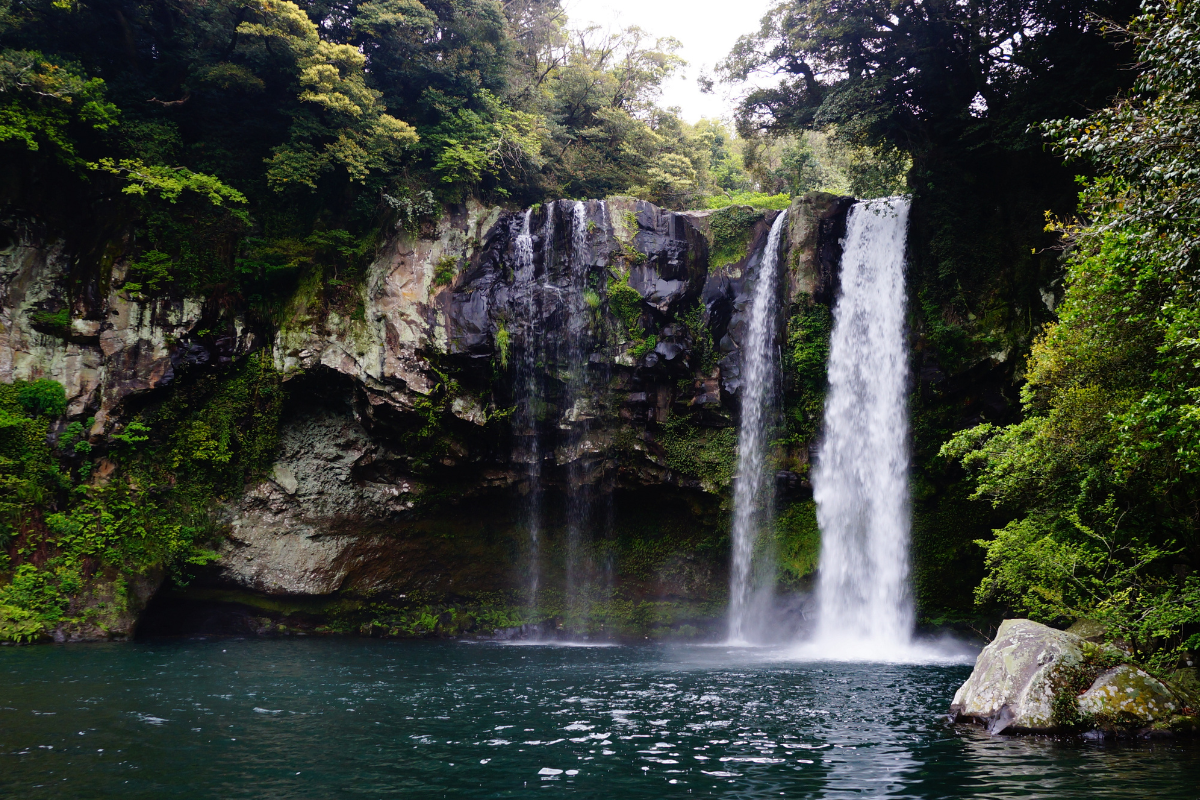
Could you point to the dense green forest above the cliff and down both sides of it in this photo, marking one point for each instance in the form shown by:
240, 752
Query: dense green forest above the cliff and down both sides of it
236, 151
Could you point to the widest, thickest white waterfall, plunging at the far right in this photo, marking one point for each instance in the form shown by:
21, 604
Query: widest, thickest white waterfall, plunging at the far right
861, 479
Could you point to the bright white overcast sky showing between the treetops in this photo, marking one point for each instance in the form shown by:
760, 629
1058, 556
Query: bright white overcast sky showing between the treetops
707, 29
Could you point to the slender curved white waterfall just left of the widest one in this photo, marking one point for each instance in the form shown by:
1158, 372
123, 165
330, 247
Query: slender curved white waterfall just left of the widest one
752, 490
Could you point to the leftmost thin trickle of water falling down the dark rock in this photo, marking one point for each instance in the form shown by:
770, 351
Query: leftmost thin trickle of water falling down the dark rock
527, 393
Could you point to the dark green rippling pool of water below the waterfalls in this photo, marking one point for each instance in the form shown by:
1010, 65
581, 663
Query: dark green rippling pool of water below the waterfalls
347, 719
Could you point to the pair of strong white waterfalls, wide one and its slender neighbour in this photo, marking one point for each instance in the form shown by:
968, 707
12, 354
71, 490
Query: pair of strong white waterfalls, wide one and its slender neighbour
860, 480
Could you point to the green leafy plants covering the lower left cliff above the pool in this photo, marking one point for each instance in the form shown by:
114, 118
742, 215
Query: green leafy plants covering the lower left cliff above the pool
152, 513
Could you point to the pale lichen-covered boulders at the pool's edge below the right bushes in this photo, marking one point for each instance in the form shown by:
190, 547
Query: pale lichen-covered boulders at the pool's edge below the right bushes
1036, 679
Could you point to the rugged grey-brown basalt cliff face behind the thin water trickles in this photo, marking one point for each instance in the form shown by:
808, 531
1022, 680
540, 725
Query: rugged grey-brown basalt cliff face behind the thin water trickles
574, 370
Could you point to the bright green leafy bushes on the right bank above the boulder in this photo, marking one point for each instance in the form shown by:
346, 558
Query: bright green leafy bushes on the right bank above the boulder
1102, 474
